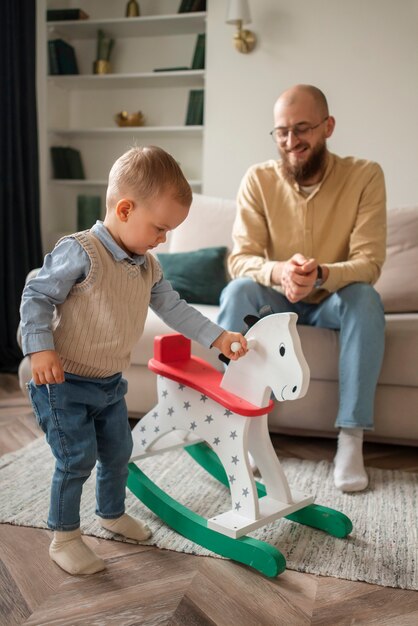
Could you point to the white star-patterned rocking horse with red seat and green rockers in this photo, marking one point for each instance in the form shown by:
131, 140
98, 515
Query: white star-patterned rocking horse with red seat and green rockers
220, 420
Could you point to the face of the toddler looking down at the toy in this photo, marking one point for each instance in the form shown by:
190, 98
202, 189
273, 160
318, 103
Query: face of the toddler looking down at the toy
148, 223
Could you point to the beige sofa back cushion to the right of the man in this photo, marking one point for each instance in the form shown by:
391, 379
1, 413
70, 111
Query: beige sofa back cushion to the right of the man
398, 283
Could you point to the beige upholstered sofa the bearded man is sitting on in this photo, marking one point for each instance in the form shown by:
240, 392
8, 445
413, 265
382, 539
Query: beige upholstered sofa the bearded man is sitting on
396, 409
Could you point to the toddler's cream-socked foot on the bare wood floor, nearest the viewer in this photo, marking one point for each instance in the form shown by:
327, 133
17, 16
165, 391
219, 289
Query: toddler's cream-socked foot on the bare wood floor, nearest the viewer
69, 551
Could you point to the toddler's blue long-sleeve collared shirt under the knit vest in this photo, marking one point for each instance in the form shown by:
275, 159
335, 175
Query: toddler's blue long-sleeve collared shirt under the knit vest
68, 264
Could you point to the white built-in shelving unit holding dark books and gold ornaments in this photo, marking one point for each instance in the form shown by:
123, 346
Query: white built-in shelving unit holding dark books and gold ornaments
80, 109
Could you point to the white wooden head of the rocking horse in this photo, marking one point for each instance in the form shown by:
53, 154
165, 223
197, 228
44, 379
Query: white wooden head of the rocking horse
275, 362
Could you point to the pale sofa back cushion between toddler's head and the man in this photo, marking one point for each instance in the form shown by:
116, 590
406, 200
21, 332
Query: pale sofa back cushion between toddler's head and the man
209, 223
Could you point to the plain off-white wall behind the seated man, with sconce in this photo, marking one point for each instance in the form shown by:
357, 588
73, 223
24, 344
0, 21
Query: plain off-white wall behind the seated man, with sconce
362, 53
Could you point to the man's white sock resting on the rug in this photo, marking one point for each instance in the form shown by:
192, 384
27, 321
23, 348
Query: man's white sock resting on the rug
349, 472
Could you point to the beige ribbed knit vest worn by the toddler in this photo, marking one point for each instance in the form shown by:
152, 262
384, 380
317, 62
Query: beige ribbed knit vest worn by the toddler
104, 315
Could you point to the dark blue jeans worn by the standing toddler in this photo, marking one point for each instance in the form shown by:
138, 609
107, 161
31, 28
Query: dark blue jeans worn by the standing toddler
85, 420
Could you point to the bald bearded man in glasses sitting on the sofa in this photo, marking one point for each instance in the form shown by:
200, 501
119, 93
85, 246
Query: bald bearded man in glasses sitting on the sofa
310, 237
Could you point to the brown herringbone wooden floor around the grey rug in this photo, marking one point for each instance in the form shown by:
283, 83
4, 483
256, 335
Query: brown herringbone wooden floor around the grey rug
143, 585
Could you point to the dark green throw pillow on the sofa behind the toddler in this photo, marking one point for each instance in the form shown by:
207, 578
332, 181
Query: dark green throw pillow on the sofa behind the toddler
198, 276
